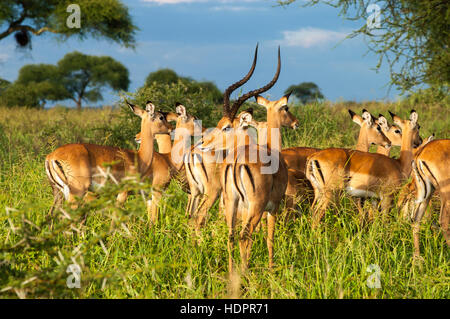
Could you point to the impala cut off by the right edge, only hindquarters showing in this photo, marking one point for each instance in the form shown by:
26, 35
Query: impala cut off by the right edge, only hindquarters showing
432, 172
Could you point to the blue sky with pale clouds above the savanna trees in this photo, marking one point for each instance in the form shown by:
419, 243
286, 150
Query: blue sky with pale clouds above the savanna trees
214, 40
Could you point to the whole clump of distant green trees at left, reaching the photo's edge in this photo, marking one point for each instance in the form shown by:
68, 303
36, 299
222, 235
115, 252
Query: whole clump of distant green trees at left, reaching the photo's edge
77, 76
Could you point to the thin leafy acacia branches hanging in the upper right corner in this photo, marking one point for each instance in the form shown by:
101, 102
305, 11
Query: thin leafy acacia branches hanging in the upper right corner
413, 37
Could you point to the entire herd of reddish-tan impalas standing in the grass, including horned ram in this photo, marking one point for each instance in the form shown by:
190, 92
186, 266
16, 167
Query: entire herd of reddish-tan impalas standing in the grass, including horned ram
252, 174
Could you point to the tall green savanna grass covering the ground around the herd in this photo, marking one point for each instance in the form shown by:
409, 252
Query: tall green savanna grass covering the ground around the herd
121, 257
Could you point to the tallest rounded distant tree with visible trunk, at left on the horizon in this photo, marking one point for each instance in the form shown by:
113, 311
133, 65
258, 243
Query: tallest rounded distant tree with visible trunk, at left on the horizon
83, 76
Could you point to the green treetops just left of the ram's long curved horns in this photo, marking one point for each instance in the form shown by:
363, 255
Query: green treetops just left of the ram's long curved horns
168, 76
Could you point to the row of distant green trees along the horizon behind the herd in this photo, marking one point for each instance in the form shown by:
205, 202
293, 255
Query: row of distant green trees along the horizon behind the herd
81, 78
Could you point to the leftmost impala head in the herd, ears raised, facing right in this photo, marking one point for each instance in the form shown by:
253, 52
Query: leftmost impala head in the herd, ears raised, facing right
155, 120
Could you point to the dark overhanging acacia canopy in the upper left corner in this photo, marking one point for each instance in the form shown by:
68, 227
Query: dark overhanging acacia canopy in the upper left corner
99, 18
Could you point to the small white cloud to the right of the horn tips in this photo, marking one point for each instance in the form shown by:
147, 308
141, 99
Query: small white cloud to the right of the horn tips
309, 37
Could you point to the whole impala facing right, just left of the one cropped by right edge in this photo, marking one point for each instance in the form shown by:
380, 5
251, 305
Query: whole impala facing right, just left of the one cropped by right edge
361, 174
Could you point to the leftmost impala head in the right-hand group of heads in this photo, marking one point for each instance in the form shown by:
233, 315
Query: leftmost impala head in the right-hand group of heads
370, 131
